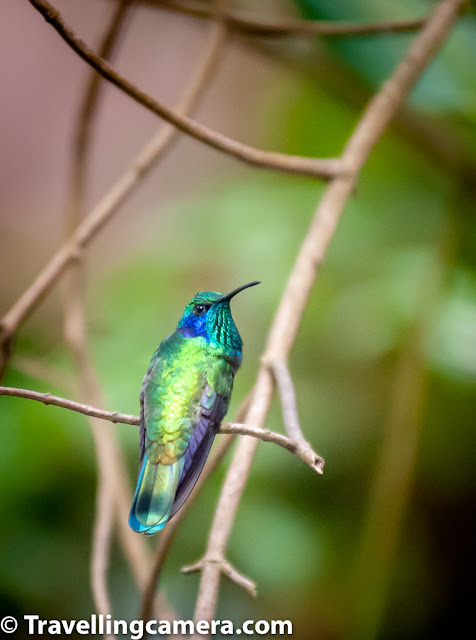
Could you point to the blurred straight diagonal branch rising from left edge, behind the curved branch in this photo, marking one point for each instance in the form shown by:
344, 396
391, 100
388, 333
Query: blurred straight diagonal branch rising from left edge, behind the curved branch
71, 250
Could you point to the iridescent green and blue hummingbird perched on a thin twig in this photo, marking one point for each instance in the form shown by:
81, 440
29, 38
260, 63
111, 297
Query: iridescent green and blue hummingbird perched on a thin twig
184, 397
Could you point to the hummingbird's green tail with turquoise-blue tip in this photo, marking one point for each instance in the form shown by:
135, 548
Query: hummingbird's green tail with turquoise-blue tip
154, 496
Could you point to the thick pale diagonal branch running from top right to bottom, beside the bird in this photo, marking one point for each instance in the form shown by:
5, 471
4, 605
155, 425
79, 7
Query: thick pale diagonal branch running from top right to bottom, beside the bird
288, 317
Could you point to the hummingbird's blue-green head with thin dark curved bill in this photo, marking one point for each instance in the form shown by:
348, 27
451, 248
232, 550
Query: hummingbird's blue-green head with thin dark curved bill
208, 314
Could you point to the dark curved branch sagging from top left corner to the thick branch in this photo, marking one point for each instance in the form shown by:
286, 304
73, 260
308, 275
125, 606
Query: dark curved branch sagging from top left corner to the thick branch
324, 168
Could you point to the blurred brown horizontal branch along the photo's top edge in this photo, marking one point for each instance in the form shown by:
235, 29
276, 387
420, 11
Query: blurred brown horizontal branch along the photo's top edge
272, 28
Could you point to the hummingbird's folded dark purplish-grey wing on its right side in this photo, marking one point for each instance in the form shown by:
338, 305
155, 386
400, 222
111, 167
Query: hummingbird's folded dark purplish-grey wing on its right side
200, 444
